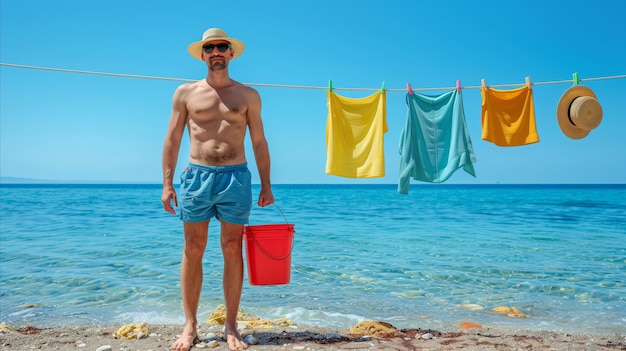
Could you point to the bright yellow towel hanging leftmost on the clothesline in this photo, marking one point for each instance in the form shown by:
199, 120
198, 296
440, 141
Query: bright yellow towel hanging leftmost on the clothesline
355, 130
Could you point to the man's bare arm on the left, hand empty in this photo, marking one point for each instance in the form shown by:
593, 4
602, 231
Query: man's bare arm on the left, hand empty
171, 147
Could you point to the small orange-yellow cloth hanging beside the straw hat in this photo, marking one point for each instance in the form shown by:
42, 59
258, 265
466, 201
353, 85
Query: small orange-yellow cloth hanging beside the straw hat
508, 116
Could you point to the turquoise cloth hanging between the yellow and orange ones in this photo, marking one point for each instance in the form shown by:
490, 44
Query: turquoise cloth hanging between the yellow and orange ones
435, 141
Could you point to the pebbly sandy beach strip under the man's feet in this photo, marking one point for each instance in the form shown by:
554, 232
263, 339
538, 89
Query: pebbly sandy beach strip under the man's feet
159, 337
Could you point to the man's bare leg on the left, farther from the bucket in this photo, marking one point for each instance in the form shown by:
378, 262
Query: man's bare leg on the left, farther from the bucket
196, 235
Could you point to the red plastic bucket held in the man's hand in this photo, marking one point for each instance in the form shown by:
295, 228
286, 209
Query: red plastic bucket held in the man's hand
268, 253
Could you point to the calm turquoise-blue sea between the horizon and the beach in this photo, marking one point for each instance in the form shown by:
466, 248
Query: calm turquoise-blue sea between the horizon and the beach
553, 255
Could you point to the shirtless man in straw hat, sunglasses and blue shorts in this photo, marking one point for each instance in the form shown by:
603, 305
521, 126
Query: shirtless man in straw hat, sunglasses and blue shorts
216, 111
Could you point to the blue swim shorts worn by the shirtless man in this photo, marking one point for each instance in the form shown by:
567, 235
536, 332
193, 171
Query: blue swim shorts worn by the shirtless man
224, 192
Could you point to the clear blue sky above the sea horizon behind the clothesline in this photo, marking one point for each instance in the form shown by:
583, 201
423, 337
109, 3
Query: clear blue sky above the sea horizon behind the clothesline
71, 127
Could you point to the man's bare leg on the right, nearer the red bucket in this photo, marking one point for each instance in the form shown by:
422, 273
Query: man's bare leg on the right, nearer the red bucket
231, 237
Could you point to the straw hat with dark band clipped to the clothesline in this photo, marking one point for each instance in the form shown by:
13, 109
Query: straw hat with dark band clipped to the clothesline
578, 112
